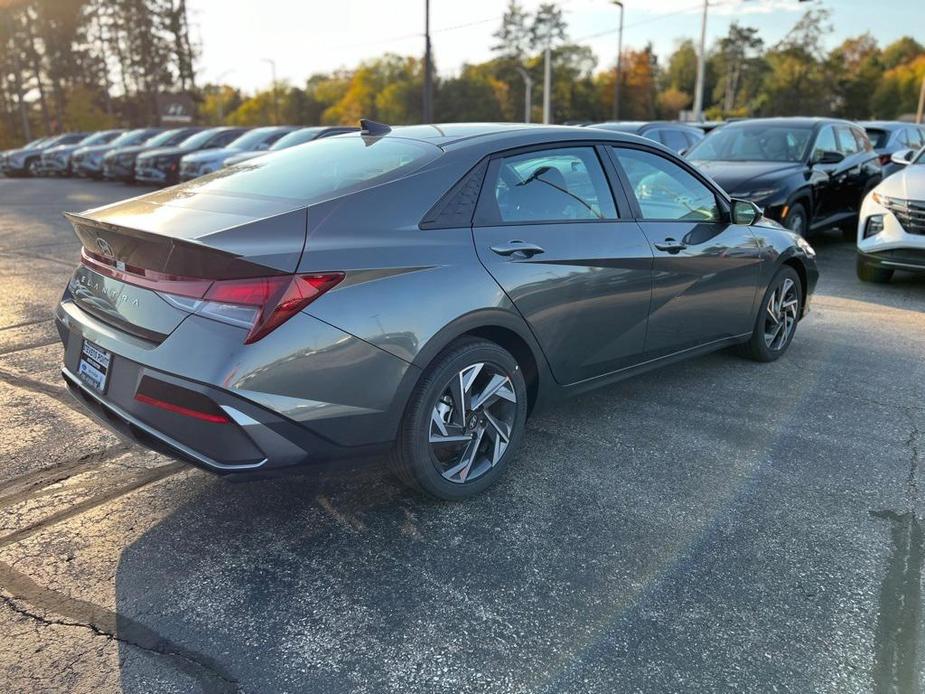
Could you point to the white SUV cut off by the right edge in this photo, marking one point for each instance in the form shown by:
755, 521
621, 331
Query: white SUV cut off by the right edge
891, 226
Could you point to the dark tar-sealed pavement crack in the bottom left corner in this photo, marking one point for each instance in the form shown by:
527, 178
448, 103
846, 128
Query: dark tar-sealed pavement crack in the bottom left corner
20, 588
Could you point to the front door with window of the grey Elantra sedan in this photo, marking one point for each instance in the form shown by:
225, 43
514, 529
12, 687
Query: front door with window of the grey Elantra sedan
705, 271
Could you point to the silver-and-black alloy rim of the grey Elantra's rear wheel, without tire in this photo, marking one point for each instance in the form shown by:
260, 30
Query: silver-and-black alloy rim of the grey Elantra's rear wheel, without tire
472, 422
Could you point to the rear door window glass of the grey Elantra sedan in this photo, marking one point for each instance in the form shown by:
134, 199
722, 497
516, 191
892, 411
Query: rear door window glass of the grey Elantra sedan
553, 185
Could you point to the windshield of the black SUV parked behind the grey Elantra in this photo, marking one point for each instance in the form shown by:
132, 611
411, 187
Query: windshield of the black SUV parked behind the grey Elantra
756, 142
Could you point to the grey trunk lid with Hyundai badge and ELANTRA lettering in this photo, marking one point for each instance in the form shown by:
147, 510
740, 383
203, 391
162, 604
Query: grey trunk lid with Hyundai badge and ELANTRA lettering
147, 261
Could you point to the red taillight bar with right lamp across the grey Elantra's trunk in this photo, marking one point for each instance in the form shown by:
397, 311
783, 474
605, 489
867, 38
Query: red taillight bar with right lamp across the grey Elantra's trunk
260, 304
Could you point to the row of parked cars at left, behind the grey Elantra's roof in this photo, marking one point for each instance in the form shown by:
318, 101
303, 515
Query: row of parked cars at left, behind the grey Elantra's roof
153, 155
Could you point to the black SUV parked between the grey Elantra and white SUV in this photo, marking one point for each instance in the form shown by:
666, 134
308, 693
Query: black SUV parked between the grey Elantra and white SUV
809, 174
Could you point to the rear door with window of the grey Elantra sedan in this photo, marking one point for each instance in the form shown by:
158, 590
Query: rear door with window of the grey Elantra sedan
569, 256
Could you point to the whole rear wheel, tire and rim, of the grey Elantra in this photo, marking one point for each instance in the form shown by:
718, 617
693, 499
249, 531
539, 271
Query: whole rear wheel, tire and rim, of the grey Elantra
464, 421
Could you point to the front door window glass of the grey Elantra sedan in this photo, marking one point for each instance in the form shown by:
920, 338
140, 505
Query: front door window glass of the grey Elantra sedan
666, 191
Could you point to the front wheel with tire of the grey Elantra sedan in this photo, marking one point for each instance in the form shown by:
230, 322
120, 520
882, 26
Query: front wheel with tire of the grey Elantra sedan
777, 319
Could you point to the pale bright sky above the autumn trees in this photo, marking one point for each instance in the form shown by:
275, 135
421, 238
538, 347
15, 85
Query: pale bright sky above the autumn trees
303, 37
